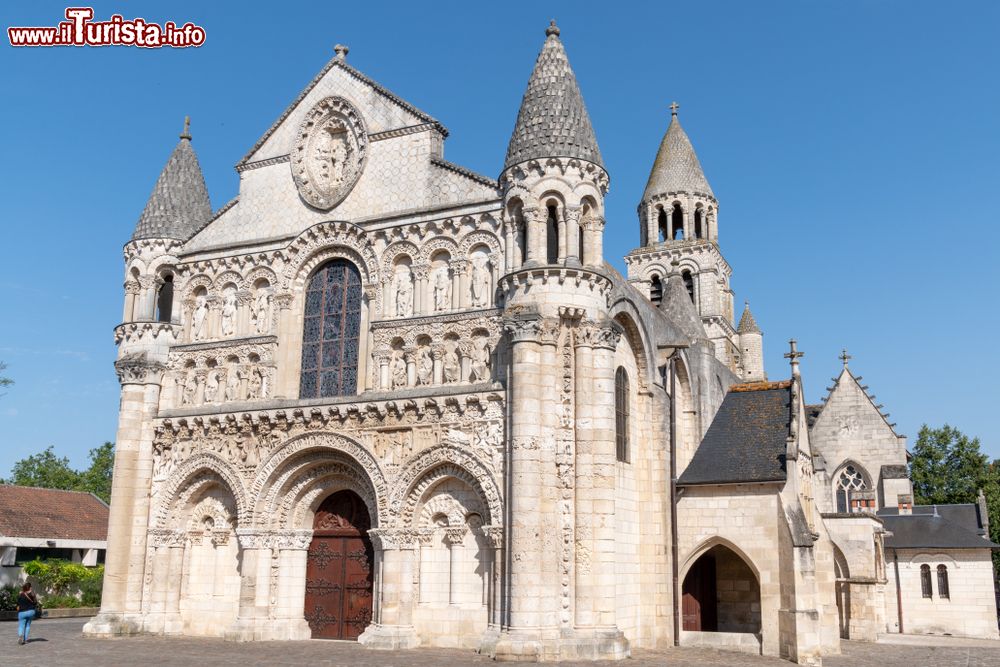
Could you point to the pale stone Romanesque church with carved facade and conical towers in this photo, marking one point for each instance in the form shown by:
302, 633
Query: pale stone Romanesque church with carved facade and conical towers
378, 396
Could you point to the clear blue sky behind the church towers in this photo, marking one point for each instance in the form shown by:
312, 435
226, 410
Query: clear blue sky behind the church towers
853, 147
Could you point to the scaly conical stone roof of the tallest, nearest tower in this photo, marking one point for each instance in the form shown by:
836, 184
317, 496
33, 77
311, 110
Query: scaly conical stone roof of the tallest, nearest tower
553, 120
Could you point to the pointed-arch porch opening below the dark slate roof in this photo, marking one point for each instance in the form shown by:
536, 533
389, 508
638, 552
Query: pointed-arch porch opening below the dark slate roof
721, 594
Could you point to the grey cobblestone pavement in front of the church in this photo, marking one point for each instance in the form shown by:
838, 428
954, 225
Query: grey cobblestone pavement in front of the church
59, 642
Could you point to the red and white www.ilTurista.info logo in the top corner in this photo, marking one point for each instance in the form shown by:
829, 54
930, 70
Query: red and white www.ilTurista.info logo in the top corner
81, 30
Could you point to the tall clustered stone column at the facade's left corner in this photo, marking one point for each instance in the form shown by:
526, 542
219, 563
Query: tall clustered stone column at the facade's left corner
121, 602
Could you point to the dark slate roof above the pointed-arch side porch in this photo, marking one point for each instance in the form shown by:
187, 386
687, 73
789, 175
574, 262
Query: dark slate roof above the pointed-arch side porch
747, 440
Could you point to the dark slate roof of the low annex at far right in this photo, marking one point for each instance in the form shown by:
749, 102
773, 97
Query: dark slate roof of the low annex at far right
949, 527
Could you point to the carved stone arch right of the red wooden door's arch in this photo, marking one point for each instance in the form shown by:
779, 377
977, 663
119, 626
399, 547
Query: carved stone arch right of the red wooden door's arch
432, 466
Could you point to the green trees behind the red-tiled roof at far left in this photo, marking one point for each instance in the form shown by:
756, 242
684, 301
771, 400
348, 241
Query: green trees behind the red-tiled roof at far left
49, 471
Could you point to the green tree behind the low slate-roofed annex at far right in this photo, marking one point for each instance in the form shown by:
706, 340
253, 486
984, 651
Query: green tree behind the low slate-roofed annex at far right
947, 467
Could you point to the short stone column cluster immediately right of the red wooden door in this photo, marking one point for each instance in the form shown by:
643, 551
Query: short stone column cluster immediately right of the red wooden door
393, 625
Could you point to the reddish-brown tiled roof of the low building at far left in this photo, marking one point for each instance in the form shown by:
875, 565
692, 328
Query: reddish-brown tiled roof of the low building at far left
27, 511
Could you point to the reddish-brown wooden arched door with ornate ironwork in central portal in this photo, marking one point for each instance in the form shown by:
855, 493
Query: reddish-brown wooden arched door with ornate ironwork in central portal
339, 569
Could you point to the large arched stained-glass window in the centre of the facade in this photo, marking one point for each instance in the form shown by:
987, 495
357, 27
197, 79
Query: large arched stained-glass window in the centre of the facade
331, 330
